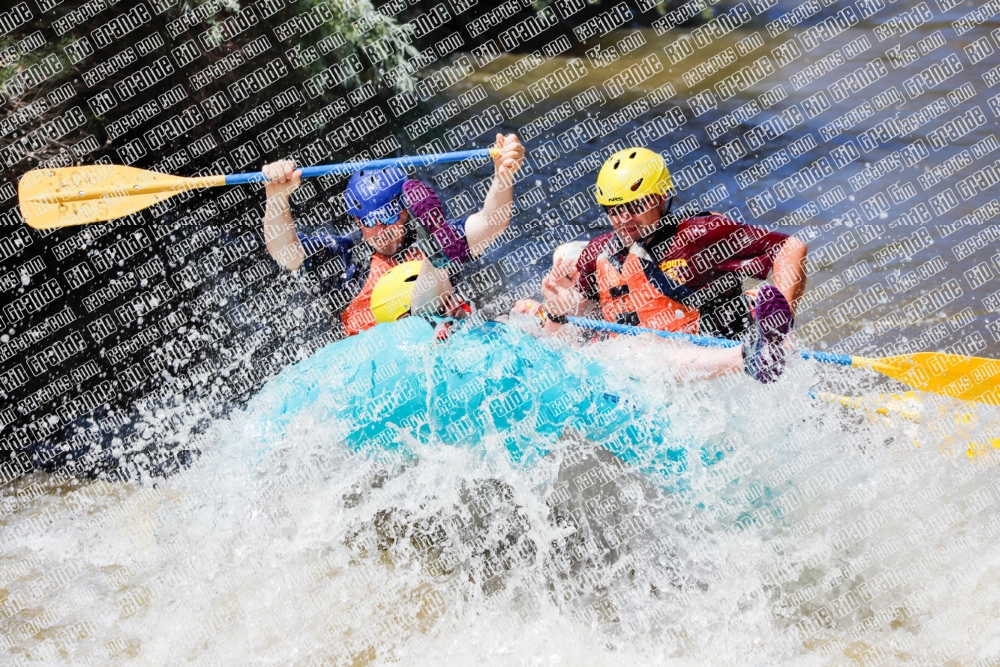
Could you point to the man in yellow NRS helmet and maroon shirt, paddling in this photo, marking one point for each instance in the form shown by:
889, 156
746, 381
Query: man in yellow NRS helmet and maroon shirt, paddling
659, 271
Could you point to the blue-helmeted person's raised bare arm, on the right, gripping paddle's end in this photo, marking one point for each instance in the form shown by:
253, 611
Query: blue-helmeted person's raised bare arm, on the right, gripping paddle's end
485, 225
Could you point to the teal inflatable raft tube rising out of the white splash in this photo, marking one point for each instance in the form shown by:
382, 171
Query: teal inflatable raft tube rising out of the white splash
397, 384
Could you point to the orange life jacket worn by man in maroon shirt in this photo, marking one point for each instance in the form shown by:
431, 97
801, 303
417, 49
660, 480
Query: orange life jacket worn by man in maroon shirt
628, 297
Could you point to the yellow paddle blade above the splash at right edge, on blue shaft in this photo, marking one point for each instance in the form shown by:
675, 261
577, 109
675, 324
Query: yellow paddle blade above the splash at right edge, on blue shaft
967, 378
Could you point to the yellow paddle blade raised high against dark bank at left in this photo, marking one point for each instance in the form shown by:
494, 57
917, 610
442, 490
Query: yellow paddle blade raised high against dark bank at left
98, 193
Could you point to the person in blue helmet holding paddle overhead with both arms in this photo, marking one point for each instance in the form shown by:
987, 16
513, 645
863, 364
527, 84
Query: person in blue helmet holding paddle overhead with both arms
400, 219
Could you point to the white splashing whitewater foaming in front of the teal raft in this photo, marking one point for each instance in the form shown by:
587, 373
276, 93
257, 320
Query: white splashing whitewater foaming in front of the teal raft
824, 536
